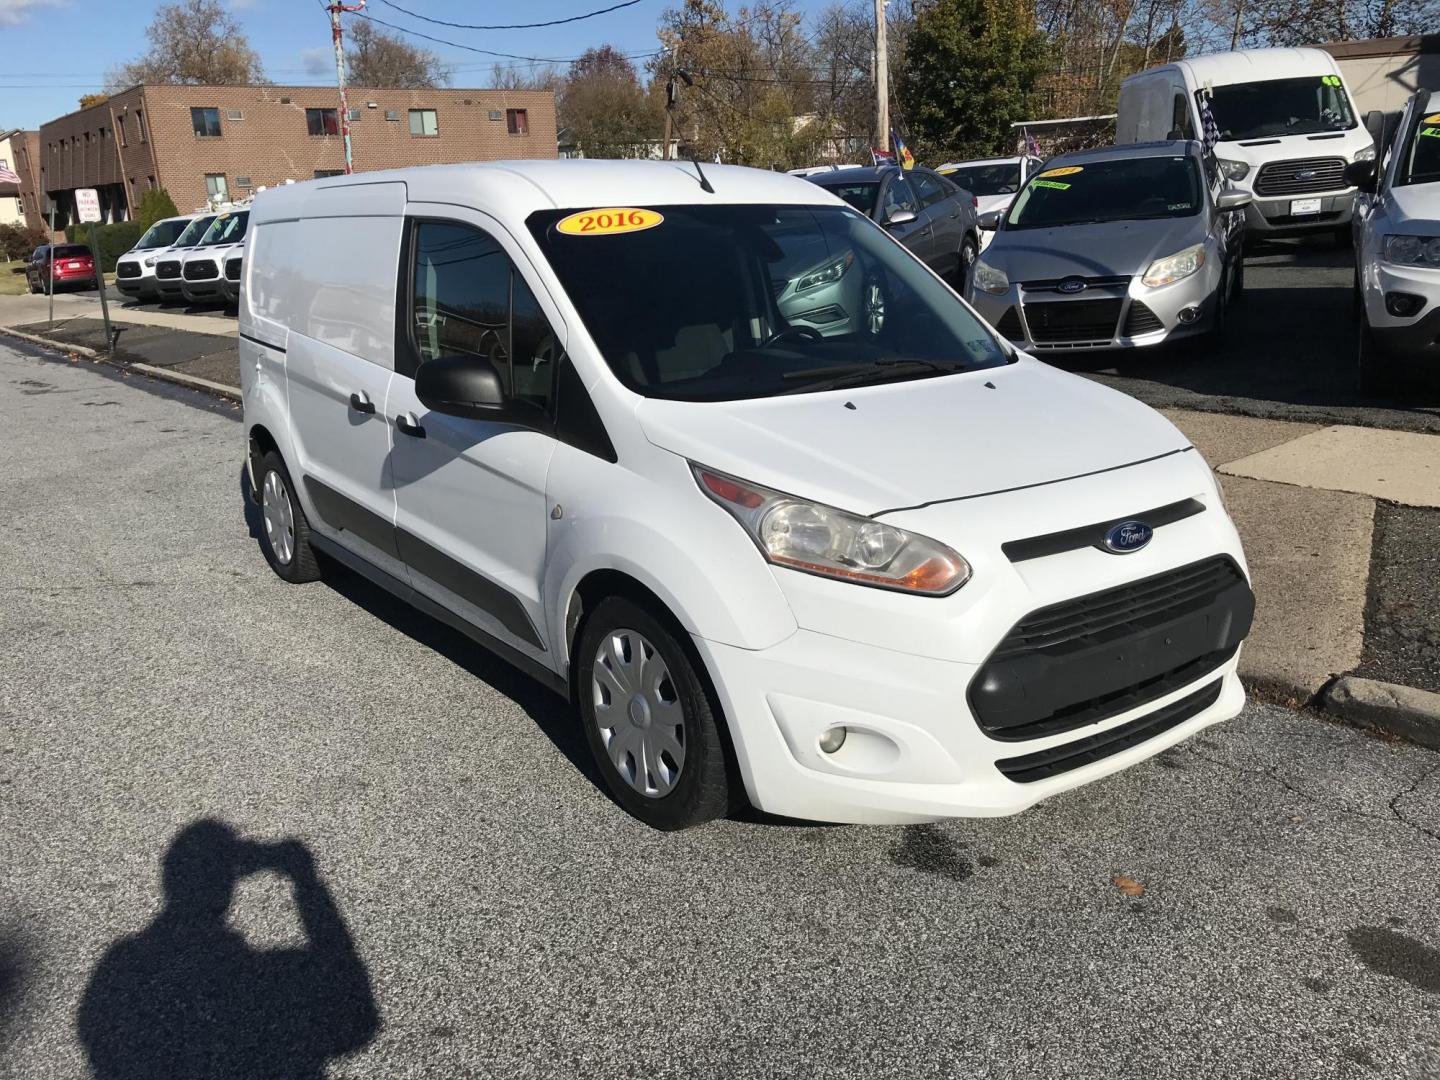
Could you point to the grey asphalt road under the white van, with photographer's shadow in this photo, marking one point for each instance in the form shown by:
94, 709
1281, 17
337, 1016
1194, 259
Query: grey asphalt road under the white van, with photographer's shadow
459, 898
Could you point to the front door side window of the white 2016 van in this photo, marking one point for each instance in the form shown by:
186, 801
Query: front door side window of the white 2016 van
469, 300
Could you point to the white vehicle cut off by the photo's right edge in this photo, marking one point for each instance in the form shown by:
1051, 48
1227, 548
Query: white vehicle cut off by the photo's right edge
1398, 248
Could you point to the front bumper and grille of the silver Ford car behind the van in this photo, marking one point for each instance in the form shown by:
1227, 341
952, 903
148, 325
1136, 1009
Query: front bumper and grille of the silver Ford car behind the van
1130, 316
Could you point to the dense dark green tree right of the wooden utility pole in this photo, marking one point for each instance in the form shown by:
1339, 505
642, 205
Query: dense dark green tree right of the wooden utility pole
970, 71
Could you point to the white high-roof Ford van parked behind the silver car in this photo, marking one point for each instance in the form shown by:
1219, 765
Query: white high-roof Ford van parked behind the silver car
1287, 123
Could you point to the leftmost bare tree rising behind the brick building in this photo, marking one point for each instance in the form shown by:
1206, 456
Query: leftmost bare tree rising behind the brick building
194, 42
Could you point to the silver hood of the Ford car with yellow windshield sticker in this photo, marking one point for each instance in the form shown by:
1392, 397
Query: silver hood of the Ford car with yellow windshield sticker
1092, 251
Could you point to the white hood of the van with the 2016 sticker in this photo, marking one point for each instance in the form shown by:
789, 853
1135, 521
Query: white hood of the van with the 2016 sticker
922, 441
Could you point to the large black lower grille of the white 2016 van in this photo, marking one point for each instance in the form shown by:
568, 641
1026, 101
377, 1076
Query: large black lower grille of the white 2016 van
1099, 656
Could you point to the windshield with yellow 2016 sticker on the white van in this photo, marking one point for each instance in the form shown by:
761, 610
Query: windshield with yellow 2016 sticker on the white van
721, 303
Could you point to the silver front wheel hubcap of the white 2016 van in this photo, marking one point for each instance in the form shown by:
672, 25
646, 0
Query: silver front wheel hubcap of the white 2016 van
637, 708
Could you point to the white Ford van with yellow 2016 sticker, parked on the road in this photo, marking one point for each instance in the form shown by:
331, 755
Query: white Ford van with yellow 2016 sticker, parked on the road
870, 570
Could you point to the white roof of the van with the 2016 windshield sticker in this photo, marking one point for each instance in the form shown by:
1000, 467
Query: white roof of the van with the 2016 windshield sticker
516, 189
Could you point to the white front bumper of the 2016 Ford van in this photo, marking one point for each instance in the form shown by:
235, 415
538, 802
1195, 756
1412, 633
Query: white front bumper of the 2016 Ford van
935, 726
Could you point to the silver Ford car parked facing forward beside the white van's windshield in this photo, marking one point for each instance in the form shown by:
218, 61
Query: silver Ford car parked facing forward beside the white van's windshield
1115, 248
